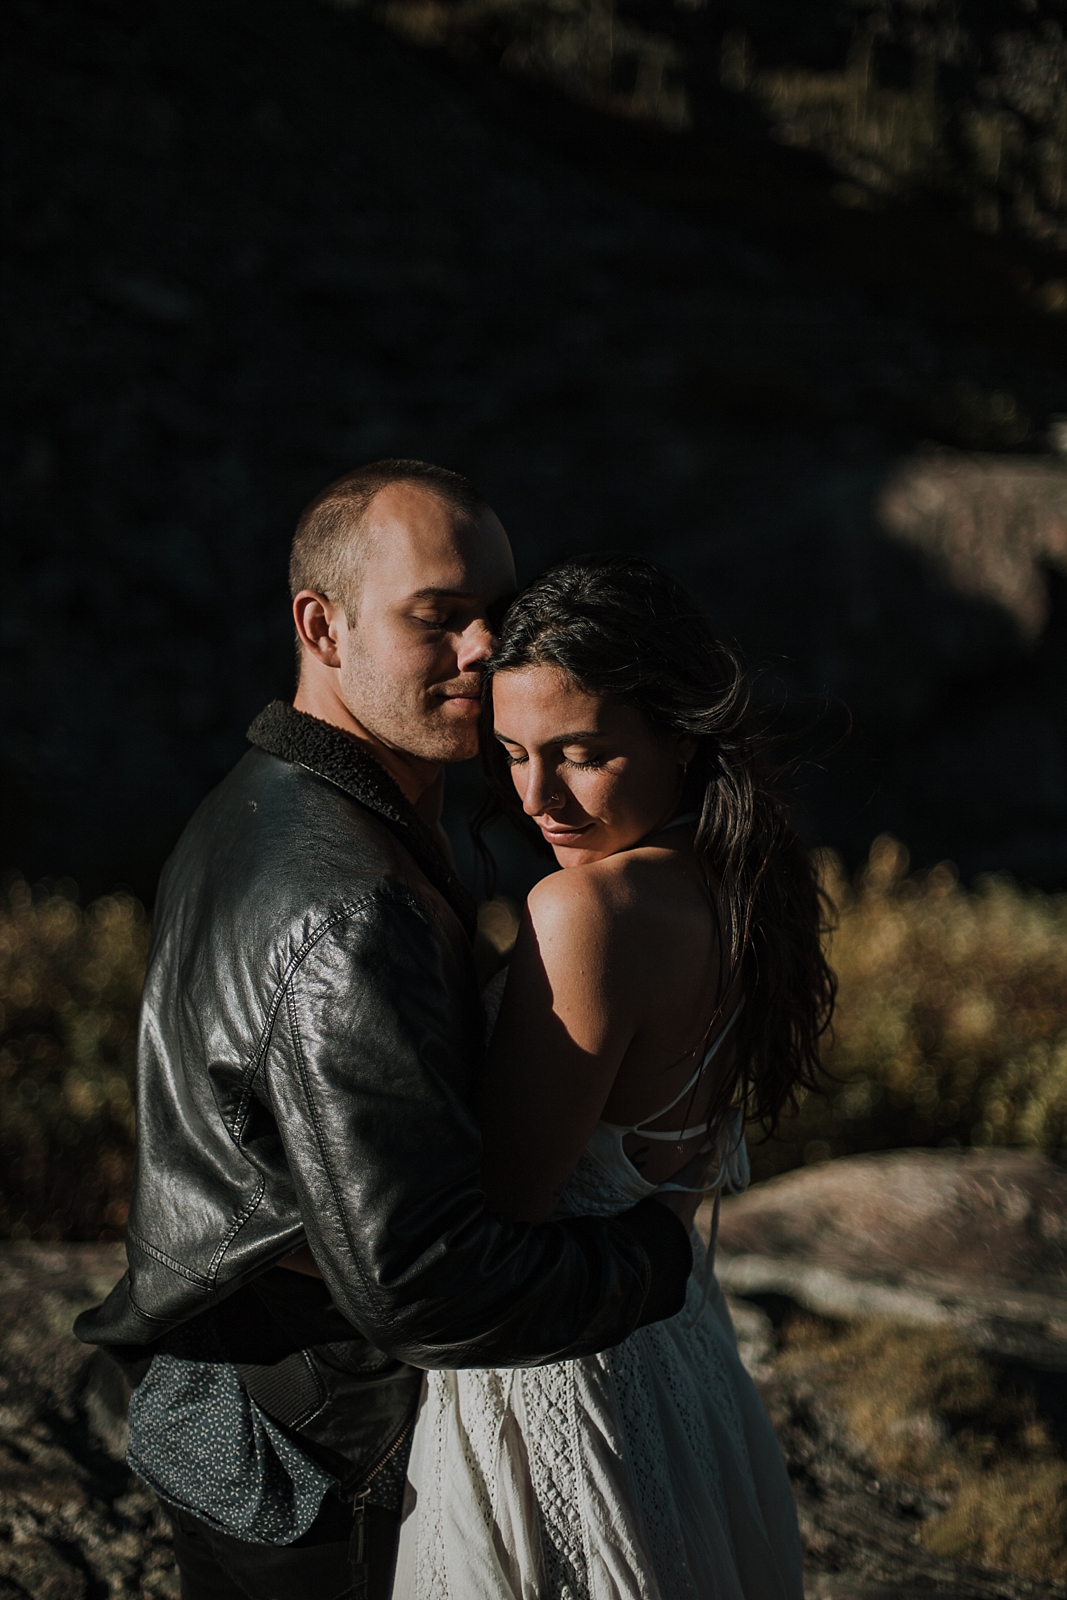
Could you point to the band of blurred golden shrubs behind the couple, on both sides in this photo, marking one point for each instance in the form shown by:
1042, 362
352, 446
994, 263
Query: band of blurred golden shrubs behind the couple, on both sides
951, 1028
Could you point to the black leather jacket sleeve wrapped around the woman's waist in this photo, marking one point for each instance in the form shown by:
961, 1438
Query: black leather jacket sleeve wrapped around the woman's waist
369, 1074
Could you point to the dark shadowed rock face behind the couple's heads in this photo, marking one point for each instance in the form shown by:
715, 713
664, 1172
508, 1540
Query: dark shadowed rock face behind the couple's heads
254, 246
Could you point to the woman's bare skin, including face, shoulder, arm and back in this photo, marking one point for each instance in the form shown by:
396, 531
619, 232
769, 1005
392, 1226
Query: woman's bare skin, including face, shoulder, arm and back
607, 1001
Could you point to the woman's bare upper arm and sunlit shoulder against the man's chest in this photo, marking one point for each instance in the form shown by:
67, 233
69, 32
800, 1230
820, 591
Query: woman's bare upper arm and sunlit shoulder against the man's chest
569, 1017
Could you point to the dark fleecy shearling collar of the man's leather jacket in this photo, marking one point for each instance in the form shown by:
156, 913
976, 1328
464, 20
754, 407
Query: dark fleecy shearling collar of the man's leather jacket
335, 756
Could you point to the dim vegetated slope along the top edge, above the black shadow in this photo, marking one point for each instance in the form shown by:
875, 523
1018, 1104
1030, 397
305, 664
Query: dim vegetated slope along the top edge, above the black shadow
962, 102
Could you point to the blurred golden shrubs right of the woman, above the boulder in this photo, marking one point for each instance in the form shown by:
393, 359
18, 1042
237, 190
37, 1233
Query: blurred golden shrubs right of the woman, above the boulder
951, 1023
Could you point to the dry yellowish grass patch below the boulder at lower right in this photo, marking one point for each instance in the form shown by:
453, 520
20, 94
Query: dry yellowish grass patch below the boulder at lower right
932, 1410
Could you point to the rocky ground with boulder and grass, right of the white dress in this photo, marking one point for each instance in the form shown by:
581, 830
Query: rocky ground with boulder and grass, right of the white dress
924, 1407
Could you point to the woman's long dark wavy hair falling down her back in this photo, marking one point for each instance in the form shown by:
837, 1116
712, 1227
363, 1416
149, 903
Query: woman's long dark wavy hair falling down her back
621, 626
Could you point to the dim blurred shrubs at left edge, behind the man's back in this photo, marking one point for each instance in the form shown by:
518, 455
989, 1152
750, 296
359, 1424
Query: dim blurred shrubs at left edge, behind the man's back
70, 986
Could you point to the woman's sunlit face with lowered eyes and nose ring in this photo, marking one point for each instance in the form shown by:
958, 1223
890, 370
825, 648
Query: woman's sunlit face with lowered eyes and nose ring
589, 770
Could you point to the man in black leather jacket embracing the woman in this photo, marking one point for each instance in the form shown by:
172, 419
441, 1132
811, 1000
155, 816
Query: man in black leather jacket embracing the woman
308, 1228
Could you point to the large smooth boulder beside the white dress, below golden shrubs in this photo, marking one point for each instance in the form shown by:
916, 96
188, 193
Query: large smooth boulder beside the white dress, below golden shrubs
970, 1239
